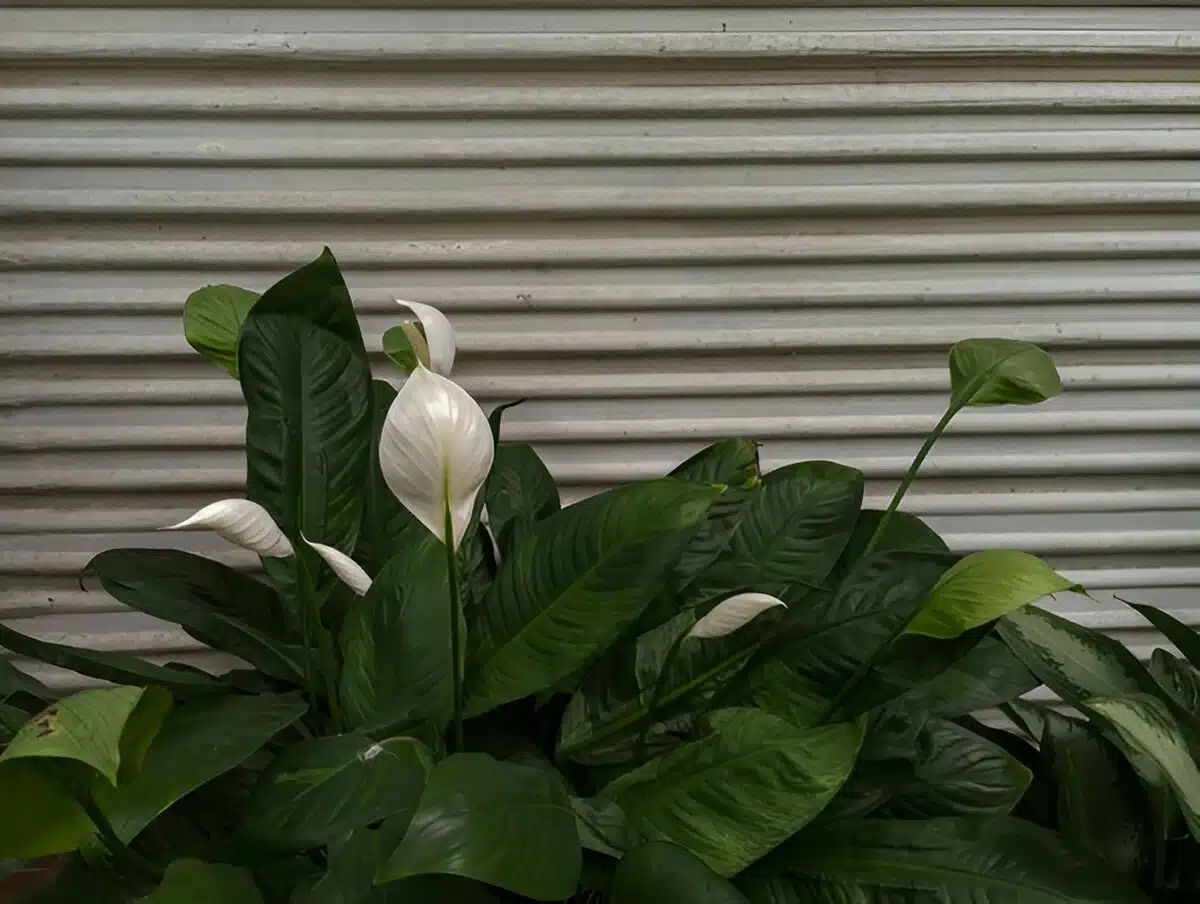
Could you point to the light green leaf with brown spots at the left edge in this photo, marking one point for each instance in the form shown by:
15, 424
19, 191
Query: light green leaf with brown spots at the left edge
91, 728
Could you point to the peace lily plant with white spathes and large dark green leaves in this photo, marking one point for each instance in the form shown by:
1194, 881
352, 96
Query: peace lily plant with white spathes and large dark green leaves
719, 686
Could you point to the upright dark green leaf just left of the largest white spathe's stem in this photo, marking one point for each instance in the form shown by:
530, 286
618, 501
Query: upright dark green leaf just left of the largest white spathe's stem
397, 658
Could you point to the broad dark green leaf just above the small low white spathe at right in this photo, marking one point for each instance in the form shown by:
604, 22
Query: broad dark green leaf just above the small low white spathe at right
790, 534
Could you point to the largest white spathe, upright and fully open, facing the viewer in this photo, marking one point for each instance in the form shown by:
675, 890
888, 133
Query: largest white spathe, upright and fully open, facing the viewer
435, 452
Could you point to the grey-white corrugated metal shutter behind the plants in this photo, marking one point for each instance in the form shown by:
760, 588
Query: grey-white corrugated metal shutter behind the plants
663, 225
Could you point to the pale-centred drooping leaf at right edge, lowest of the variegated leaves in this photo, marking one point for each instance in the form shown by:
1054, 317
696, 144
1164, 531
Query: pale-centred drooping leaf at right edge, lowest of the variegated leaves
1144, 727
